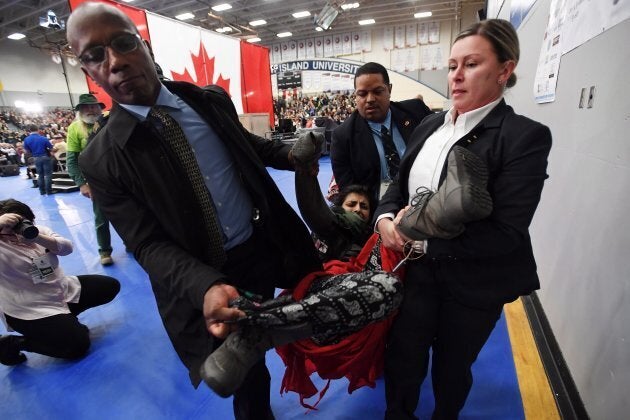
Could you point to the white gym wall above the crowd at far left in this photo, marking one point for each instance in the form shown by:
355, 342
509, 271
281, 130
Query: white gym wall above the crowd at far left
30, 75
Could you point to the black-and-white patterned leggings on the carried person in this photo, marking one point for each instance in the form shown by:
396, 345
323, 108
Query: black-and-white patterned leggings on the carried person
334, 306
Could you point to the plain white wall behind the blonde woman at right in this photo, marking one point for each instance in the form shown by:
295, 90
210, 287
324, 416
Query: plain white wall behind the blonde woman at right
581, 232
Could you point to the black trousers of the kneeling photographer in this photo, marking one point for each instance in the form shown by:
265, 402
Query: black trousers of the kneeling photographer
63, 335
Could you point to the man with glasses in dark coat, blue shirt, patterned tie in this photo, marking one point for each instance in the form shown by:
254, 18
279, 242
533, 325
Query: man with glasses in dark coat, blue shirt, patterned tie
186, 187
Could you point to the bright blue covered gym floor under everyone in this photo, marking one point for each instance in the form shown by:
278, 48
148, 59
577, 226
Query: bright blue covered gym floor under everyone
133, 372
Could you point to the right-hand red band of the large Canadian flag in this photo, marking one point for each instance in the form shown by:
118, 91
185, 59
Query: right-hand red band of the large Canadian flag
256, 80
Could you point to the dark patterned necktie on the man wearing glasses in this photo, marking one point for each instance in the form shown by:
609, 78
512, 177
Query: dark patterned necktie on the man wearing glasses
174, 136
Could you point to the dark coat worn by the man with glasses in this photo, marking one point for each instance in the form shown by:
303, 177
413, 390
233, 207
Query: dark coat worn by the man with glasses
144, 192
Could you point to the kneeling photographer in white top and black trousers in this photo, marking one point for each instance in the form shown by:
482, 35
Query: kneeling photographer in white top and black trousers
37, 298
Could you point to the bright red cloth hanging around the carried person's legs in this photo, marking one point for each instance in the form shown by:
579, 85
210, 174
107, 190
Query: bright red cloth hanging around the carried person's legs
358, 357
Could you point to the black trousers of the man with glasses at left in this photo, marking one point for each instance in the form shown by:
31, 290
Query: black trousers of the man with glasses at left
254, 266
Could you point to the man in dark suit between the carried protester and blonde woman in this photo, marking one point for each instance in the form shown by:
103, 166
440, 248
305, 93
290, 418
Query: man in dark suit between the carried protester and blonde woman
366, 149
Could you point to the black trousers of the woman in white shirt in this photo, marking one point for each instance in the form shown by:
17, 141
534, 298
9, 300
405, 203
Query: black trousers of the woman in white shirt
430, 318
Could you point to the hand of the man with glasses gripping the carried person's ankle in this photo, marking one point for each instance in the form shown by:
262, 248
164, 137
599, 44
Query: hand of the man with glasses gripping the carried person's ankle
216, 309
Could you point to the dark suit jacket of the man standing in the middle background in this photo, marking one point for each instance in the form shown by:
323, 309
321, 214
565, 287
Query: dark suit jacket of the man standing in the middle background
353, 154
